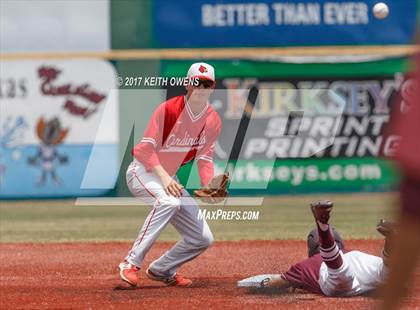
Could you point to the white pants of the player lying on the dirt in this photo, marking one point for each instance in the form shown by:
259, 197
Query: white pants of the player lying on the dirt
359, 274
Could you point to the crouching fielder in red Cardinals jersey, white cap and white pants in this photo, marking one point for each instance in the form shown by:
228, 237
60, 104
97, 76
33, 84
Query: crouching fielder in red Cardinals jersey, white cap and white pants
181, 129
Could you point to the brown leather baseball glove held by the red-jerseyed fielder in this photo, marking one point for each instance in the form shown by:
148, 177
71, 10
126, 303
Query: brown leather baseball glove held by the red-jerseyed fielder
215, 191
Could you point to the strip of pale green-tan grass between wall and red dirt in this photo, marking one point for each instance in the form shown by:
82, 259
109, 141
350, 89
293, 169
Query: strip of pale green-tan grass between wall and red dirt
284, 217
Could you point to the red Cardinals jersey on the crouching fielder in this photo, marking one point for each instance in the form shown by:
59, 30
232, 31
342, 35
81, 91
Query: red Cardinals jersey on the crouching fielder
175, 135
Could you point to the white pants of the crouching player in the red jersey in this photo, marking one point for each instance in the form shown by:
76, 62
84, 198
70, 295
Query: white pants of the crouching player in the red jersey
181, 212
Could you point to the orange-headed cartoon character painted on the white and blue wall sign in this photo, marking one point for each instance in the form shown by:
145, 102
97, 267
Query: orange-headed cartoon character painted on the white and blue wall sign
51, 135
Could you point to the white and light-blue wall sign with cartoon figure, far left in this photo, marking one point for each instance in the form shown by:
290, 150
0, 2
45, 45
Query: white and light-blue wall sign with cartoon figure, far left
50, 115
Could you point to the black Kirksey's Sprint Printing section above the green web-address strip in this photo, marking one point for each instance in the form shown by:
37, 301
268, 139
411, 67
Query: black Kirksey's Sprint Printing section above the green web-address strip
299, 118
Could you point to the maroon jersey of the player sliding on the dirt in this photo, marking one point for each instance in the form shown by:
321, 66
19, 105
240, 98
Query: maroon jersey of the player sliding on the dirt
305, 274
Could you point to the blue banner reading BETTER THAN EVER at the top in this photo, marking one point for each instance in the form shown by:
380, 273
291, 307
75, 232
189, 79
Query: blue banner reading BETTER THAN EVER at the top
206, 23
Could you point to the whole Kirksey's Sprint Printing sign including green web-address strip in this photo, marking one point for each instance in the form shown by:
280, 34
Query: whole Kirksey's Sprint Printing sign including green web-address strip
310, 134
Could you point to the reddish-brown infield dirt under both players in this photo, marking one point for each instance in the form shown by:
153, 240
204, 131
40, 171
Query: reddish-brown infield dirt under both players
84, 275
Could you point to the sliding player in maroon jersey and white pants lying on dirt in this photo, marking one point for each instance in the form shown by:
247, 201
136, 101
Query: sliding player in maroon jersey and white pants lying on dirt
328, 270
